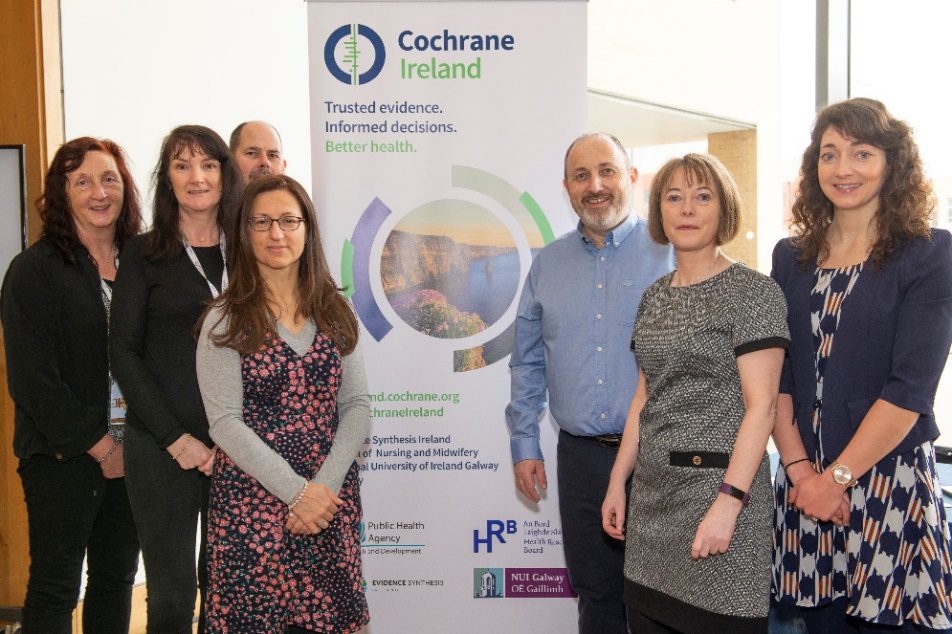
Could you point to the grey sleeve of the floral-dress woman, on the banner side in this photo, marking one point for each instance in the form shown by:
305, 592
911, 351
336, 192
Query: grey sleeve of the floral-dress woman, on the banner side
353, 408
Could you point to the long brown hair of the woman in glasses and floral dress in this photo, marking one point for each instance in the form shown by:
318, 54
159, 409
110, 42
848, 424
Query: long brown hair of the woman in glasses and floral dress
244, 304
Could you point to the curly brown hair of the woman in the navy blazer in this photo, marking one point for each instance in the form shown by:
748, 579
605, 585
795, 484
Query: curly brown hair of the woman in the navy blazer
906, 200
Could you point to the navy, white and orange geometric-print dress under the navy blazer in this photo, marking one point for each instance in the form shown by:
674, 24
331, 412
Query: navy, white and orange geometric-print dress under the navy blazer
893, 560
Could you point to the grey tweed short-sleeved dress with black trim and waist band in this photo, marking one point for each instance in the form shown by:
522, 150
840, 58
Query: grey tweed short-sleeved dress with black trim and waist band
687, 340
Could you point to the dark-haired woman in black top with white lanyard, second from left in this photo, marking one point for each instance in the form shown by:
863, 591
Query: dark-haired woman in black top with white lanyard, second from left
168, 276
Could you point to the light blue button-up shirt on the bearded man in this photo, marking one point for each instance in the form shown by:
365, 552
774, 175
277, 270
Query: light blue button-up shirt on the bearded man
573, 332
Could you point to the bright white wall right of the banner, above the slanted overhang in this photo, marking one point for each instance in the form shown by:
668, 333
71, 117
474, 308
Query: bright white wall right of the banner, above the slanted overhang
738, 59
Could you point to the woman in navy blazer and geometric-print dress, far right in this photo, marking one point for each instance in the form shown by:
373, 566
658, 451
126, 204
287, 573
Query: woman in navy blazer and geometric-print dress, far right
861, 538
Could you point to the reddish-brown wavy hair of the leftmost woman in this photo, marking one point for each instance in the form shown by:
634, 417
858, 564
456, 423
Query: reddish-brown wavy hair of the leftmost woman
58, 224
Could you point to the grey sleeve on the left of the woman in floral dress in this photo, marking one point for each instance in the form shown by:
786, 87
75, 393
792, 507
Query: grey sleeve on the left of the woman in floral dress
219, 377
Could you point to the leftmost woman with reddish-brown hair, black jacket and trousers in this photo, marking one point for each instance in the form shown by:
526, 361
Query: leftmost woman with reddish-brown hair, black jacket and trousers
68, 427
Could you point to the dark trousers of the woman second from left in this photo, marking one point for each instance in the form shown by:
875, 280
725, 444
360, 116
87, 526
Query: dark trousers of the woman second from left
167, 503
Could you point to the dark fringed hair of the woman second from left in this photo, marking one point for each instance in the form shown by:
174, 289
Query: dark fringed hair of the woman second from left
166, 238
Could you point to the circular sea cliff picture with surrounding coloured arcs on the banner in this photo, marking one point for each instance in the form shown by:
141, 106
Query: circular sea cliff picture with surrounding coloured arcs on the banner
449, 268
